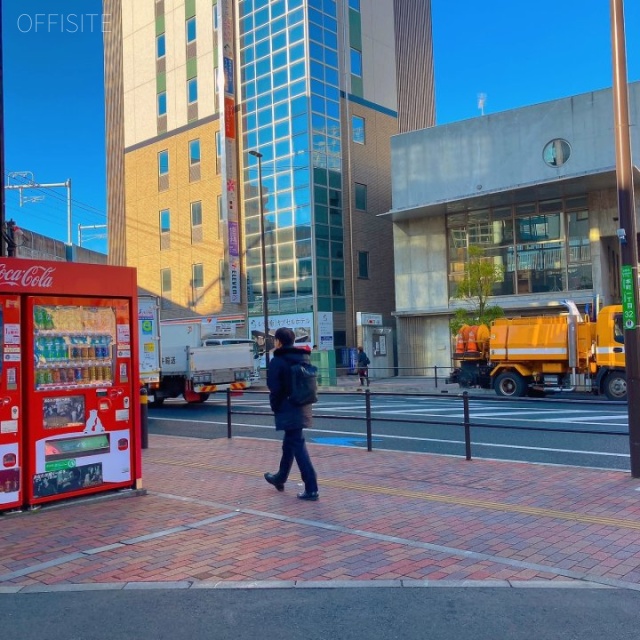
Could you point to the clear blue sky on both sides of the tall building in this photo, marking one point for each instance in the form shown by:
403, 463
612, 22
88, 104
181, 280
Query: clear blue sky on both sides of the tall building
515, 52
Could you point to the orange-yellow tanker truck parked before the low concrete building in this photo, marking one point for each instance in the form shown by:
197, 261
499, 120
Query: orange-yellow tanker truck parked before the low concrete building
545, 354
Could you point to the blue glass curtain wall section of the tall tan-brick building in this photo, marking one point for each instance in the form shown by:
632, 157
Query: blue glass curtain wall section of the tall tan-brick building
290, 87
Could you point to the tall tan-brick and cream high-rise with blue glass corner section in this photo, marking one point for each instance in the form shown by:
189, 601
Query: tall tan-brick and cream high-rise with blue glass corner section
202, 95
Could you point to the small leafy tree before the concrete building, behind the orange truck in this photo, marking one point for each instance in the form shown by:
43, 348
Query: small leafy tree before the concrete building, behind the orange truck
481, 273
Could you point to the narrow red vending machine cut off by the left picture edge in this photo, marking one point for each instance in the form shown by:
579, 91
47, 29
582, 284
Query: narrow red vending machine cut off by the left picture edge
11, 418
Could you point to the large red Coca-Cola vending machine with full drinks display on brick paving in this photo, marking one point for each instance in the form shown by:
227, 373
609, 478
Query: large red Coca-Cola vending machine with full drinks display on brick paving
78, 415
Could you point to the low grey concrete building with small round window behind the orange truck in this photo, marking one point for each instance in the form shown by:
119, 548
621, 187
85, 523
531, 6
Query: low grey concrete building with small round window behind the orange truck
535, 188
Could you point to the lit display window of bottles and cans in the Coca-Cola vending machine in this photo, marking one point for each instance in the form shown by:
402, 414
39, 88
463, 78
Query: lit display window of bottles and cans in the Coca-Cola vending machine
73, 346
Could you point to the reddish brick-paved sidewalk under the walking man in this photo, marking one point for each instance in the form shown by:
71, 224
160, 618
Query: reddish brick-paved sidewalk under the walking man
209, 518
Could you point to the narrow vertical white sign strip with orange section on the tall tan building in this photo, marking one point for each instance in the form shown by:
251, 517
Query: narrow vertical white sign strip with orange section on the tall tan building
228, 147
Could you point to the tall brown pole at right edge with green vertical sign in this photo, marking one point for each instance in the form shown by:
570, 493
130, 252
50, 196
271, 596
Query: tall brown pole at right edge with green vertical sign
627, 232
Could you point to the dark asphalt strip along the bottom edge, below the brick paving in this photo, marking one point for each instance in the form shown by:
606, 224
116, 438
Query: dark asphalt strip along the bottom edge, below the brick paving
478, 613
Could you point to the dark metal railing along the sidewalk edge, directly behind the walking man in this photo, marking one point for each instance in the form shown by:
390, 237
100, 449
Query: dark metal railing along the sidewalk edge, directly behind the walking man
466, 423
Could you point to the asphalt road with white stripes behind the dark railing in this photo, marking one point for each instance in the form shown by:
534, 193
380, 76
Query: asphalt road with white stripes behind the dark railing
567, 432
